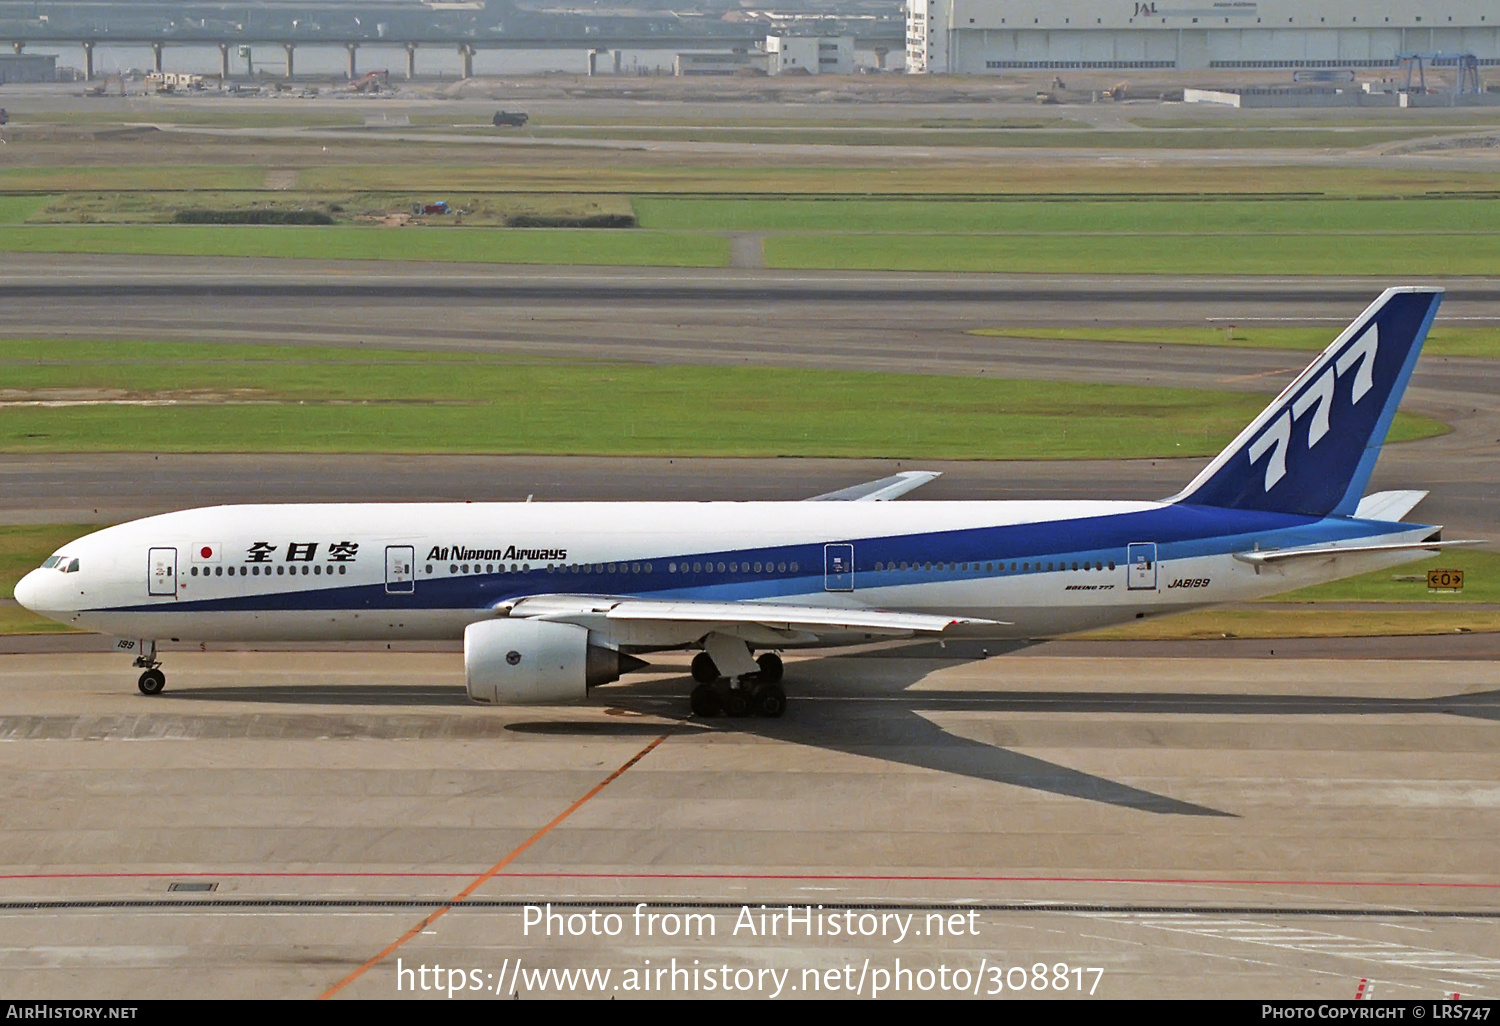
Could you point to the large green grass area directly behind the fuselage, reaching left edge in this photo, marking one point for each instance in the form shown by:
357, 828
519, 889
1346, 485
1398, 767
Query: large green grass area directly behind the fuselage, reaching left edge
313, 400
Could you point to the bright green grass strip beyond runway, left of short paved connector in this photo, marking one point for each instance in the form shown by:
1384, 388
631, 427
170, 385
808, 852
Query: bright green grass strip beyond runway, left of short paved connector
478, 245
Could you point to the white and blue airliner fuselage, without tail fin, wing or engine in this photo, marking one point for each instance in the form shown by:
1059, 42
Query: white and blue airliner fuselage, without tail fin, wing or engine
331, 572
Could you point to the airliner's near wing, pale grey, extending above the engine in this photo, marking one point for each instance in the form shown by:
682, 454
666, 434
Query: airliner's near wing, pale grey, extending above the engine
779, 617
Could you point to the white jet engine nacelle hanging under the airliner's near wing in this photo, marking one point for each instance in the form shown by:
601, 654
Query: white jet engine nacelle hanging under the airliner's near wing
536, 662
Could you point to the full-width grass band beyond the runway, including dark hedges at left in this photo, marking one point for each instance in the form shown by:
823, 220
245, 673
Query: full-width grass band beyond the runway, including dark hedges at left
1084, 236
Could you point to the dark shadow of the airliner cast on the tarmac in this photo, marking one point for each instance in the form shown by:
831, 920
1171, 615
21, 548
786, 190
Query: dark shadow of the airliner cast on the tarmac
884, 721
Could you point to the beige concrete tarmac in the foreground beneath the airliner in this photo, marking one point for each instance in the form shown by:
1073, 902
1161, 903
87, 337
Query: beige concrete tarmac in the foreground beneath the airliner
1177, 823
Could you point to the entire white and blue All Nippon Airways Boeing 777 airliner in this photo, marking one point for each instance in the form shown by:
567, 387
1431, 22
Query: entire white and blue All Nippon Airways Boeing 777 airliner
556, 598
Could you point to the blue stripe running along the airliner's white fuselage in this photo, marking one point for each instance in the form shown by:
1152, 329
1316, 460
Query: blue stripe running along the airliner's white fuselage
1180, 532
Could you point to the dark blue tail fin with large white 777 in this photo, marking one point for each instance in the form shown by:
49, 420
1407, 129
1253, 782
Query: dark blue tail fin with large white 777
1313, 449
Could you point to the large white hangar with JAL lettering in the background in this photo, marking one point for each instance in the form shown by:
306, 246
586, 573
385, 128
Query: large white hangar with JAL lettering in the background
995, 37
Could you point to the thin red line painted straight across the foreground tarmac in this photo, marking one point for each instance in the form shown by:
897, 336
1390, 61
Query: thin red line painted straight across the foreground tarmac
850, 878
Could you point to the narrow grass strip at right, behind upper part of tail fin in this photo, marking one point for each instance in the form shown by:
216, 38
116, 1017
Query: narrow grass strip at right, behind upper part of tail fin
1442, 341
